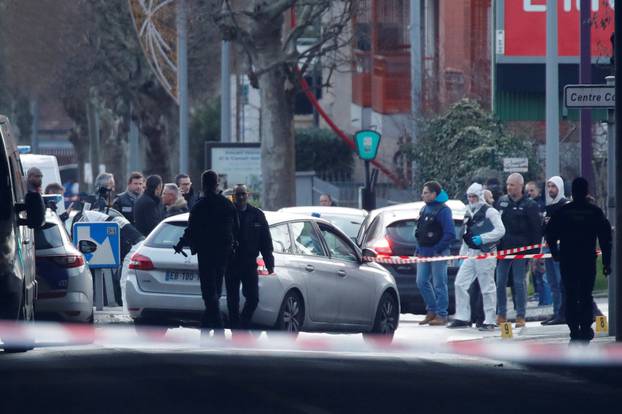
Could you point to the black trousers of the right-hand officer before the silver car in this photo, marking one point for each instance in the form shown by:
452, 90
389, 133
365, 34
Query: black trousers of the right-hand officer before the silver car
244, 272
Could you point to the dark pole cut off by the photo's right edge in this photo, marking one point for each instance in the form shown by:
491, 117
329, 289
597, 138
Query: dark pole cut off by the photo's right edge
618, 178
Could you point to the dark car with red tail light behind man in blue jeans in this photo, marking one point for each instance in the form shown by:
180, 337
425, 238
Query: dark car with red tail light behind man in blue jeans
390, 231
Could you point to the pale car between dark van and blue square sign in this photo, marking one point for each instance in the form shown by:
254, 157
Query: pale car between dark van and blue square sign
65, 282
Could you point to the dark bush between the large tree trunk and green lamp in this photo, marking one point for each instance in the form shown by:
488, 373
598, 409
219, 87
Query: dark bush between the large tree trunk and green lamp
320, 150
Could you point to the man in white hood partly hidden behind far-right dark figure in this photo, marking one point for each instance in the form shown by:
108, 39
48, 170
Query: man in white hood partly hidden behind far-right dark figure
554, 201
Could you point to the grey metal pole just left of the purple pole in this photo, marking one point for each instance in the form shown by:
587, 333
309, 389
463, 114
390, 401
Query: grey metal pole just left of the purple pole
552, 91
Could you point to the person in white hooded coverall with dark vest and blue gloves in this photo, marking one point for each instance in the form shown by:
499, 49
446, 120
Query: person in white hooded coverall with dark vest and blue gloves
483, 230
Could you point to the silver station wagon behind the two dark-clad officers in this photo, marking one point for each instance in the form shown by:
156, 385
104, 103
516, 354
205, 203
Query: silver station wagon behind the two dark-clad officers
320, 281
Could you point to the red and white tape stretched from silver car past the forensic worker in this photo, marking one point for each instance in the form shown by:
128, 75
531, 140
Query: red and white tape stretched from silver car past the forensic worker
509, 254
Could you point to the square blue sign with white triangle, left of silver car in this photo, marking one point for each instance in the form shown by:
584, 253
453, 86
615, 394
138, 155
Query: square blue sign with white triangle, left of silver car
100, 242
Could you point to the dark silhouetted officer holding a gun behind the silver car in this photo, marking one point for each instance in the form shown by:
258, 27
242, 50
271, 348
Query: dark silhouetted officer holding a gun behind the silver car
210, 235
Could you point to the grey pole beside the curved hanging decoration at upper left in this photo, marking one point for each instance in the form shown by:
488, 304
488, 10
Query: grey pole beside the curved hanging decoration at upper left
182, 83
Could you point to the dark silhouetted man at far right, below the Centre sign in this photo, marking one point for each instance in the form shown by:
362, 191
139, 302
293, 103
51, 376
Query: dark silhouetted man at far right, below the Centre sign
575, 226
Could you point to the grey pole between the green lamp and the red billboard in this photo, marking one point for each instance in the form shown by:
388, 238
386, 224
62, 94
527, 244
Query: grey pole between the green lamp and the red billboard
416, 74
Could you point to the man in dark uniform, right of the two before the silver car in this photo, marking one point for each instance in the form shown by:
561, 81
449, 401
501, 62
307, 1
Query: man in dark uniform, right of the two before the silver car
253, 238
